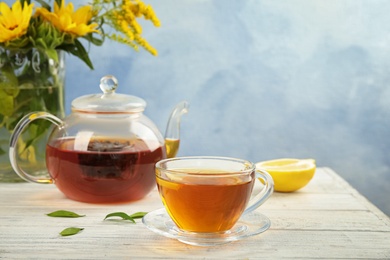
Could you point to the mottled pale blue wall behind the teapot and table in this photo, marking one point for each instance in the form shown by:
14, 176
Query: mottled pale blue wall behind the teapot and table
265, 79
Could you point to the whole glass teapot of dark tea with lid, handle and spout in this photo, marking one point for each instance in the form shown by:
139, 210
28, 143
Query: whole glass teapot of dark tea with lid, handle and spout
106, 149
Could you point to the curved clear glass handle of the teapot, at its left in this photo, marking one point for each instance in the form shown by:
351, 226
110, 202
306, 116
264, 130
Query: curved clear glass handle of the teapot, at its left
19, 128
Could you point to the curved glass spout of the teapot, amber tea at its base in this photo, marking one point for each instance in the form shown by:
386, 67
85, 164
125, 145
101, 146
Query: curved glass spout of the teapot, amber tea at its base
172, 133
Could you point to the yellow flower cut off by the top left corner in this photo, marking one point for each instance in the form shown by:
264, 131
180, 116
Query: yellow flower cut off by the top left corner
14, 22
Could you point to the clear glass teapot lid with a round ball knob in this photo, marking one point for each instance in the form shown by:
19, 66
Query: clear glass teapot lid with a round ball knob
109, 101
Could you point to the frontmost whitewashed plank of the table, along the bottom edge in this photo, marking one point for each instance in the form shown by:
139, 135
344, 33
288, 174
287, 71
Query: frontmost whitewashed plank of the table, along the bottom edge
270, 245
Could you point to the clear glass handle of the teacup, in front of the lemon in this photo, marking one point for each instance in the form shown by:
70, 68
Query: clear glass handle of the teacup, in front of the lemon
264, 194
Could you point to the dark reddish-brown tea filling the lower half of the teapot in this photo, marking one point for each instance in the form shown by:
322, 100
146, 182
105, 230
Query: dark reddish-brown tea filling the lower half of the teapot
105, 170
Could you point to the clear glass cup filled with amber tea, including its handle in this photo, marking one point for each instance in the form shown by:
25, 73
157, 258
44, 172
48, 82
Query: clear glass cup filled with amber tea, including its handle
209, 194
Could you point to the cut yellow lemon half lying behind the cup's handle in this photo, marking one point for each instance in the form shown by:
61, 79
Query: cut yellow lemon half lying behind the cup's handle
289, 174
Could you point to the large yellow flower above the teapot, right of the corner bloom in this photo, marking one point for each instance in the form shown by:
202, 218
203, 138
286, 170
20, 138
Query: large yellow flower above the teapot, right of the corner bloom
67, 20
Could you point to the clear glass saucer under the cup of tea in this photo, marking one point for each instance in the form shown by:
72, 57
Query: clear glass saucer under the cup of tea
248, 225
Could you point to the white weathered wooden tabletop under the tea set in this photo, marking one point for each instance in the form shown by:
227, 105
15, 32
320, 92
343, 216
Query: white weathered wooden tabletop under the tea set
327, 219
